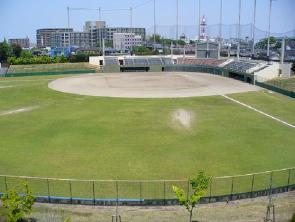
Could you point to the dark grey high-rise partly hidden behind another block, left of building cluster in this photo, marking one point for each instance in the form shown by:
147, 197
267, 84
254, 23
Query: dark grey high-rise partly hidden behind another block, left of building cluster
44, 36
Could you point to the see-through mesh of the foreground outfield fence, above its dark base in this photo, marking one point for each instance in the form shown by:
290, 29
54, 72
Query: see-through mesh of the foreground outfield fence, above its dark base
148, 190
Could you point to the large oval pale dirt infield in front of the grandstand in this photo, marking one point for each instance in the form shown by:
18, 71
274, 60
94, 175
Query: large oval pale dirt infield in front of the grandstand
150, 85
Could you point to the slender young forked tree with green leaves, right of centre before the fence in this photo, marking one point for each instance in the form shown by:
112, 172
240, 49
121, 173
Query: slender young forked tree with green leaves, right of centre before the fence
199, 185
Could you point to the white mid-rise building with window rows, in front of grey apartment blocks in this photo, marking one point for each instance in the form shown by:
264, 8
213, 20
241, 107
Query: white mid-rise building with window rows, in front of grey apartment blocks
125, 41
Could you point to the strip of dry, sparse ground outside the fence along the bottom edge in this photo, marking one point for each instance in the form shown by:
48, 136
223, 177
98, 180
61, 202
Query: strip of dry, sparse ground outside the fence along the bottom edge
253, 210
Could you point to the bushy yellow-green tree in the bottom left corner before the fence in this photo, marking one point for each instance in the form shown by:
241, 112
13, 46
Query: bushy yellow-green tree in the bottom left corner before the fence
18, 205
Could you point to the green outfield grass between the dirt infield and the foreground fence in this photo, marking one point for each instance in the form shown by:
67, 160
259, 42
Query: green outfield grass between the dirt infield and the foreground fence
72, 136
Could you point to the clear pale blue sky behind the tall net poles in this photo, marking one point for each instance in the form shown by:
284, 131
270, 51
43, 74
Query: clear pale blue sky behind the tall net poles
21, 18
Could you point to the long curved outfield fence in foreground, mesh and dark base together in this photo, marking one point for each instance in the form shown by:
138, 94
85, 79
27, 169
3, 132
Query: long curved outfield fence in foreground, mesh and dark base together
150, 192
